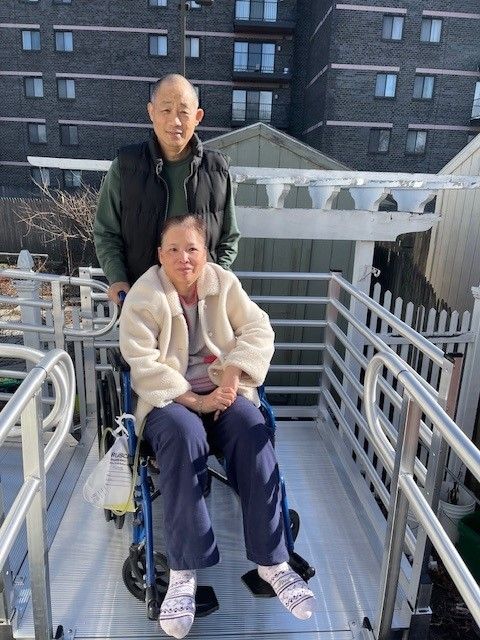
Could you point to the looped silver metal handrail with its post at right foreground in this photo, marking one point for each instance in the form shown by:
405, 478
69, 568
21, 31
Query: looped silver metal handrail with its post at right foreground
405, 492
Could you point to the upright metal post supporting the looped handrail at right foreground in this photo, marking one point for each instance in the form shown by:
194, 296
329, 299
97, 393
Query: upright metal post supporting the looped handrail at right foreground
397, 516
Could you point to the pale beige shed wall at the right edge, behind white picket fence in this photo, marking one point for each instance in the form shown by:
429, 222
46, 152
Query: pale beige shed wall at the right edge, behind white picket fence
453, 264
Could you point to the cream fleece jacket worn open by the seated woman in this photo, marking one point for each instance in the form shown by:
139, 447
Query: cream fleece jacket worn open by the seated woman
154, 336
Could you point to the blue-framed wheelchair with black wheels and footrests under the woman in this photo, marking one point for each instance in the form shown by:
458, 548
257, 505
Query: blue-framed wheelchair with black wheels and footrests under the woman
145, 571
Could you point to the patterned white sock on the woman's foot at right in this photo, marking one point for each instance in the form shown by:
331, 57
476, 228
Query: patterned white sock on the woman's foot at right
291, 589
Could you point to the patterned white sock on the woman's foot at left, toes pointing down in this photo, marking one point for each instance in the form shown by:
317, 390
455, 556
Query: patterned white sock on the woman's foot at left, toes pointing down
178, 607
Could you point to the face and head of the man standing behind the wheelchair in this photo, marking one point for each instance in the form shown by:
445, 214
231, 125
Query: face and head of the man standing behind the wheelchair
174, 114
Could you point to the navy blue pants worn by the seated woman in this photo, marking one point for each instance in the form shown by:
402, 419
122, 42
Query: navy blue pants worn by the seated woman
180, 440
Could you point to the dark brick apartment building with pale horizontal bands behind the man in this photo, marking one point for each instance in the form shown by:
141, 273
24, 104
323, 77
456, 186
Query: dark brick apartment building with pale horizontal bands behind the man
378, 87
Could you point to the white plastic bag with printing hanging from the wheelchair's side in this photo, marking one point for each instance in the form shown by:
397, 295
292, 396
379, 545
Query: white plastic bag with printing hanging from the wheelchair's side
109, 486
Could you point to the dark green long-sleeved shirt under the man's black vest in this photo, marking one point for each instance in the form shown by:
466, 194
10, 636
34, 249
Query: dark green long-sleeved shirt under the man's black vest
107, 226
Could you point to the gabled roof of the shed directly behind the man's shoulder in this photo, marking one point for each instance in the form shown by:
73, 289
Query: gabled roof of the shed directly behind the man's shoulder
267, 134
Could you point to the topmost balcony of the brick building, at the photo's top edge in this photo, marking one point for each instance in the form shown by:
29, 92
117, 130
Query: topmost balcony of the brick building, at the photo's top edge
258, 16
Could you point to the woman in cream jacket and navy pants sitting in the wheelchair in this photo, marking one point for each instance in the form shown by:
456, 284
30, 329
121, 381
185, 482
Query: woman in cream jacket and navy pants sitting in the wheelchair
198, 347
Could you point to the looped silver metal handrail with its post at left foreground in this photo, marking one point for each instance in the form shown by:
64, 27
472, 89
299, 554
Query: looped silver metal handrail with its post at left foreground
30, 502
